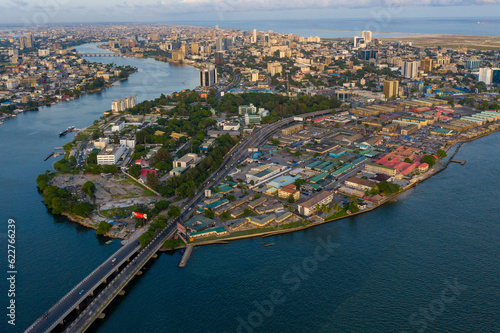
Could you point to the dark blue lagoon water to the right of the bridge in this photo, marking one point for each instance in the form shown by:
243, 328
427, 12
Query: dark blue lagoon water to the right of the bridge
389, 263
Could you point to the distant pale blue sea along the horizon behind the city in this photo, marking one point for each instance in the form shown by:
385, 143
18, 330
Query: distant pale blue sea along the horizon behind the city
379, 24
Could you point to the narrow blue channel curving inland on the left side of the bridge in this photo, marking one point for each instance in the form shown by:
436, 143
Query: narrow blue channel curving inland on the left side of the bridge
53, 254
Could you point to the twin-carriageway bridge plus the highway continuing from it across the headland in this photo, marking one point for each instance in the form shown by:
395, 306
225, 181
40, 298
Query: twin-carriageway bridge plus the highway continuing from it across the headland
79, 308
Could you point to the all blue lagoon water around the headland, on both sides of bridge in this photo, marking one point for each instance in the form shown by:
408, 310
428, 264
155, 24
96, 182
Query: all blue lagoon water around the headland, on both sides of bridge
388, 264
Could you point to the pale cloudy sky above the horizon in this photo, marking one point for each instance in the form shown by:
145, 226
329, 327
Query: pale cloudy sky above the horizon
29, 12
